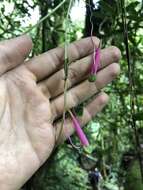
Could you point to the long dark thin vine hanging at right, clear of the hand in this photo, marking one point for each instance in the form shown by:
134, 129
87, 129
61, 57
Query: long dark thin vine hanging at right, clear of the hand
131, 85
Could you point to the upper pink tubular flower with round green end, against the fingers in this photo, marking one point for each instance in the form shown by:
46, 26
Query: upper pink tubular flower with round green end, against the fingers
95, 65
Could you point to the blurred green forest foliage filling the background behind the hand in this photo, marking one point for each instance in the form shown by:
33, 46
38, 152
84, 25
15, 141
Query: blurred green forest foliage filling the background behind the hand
110, 133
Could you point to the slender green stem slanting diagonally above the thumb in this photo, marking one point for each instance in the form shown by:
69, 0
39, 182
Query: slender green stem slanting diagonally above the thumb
46, 16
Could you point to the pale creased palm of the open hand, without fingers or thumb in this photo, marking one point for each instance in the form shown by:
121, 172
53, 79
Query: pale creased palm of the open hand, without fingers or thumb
27, 136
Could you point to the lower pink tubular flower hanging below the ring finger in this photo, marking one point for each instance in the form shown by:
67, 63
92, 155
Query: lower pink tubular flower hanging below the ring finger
79, 131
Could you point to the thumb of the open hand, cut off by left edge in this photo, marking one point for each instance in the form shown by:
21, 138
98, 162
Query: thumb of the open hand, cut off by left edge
13, 52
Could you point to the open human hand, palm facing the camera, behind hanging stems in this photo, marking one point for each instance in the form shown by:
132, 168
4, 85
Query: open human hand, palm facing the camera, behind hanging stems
31, 98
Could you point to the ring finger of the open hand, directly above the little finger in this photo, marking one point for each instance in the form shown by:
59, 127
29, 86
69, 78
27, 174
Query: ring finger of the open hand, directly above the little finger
84, 90
